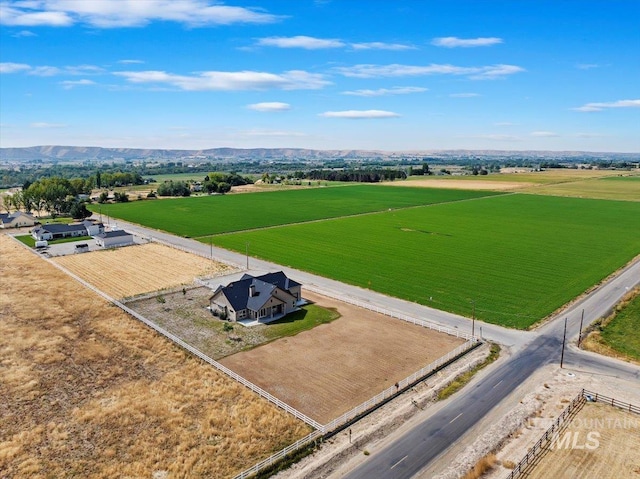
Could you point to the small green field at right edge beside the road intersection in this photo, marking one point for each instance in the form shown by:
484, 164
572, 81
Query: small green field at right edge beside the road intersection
622, 333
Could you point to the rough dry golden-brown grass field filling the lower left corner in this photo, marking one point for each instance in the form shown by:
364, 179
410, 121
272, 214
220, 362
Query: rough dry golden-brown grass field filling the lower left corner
87, 391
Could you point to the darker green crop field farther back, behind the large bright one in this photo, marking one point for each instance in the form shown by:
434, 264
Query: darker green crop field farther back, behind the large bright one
207, 215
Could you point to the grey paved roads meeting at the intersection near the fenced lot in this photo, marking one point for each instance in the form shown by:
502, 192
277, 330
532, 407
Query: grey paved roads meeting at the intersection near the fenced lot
531, 350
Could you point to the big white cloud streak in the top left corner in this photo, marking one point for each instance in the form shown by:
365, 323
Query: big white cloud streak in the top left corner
128, 13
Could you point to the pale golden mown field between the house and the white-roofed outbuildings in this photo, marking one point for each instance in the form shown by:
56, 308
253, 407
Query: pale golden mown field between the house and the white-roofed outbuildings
125, 272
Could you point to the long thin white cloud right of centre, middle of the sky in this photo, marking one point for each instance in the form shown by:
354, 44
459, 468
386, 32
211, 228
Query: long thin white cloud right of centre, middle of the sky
396, 70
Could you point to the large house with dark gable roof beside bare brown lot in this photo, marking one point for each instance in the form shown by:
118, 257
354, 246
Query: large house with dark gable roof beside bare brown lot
261, 298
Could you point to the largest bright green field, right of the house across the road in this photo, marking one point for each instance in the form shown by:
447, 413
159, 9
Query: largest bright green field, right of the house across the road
517, 257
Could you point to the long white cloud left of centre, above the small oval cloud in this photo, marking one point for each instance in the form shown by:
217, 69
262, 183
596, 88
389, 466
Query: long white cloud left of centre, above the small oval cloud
228, 81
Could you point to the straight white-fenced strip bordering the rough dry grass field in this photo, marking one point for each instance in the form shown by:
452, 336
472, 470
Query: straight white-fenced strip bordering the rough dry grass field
281, 404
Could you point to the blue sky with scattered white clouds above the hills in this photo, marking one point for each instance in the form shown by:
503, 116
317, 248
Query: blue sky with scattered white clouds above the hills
326, 74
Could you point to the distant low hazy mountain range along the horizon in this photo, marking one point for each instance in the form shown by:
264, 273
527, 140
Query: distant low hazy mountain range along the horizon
82, 153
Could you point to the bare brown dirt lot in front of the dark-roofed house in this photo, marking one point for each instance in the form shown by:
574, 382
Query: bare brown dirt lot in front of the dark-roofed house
334, 367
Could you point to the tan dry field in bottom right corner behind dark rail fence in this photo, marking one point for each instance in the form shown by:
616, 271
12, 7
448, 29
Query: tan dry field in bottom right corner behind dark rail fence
617, 455
